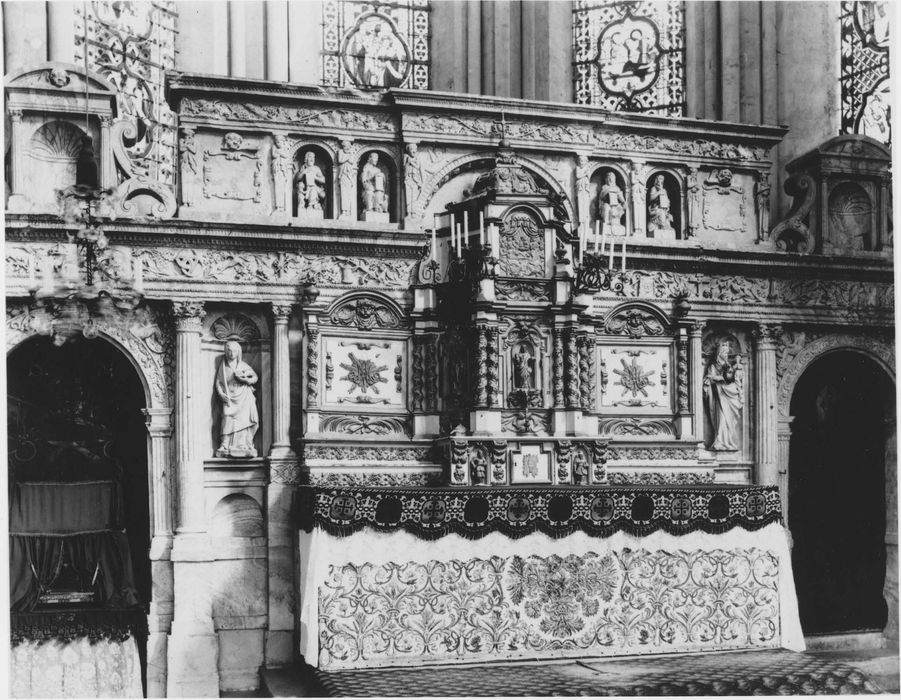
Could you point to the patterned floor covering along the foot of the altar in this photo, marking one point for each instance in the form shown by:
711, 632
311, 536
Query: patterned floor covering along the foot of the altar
773, 672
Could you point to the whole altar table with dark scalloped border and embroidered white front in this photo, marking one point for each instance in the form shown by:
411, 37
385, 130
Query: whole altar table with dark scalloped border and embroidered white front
393, 577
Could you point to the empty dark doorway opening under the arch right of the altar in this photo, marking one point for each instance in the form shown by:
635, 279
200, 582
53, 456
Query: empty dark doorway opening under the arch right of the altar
836, 493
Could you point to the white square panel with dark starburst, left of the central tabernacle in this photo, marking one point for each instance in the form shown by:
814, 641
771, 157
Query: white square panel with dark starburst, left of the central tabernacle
364, 373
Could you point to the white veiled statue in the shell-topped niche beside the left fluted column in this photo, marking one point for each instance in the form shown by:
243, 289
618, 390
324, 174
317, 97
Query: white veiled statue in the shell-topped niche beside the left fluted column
240, 420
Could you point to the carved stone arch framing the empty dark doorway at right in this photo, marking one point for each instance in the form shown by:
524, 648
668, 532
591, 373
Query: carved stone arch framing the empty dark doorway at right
880, 356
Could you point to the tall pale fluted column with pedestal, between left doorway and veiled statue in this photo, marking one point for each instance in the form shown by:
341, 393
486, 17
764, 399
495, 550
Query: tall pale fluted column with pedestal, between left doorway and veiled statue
193, 647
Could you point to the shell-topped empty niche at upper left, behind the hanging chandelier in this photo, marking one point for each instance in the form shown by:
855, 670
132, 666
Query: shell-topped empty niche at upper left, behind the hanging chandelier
56, 147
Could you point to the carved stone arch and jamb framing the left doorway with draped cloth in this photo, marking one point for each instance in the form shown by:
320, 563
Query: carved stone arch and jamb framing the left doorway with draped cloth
148, 346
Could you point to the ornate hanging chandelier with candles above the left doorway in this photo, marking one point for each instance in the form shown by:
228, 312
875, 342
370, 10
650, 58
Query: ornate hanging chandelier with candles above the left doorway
84, 292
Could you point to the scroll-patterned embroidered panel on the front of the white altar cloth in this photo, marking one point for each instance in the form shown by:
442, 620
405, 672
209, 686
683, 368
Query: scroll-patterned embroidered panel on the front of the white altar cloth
618, 602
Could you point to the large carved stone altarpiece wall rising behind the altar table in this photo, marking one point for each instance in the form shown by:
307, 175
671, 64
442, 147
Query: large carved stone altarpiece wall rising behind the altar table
405, 353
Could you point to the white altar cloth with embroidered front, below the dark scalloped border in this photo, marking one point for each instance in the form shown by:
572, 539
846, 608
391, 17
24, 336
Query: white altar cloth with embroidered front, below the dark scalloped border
390, 599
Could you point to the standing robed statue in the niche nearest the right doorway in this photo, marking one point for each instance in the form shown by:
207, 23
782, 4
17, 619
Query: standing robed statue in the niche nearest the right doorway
724, 397
